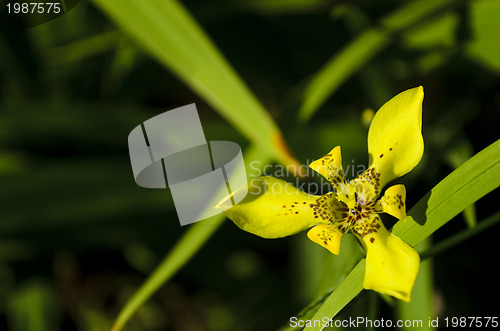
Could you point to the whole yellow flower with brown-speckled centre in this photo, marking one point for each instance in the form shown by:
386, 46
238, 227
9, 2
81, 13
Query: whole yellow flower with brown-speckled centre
274, 208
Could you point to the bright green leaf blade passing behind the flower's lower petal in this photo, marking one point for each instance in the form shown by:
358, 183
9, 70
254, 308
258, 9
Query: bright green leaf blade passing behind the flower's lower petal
464, 186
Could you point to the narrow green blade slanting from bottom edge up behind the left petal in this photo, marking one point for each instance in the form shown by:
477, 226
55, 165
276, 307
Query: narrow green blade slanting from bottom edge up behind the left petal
187, 246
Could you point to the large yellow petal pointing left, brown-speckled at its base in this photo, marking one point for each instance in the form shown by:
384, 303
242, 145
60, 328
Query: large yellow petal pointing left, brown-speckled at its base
274, 208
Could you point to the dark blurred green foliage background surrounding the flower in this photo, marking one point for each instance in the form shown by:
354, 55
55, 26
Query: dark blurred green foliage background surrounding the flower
78, 236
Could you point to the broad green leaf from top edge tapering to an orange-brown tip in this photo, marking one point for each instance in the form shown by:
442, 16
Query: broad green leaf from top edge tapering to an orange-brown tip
170, 34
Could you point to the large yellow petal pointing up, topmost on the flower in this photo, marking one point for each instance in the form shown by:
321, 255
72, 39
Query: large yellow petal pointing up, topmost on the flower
395, 142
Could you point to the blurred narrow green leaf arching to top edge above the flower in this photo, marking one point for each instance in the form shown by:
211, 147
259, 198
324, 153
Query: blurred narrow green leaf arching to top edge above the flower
361, 50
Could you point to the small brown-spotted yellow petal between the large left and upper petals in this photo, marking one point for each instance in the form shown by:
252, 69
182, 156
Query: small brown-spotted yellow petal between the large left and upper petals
330, 167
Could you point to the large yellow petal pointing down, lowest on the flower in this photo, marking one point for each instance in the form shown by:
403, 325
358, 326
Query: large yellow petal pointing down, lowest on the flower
391, 264
